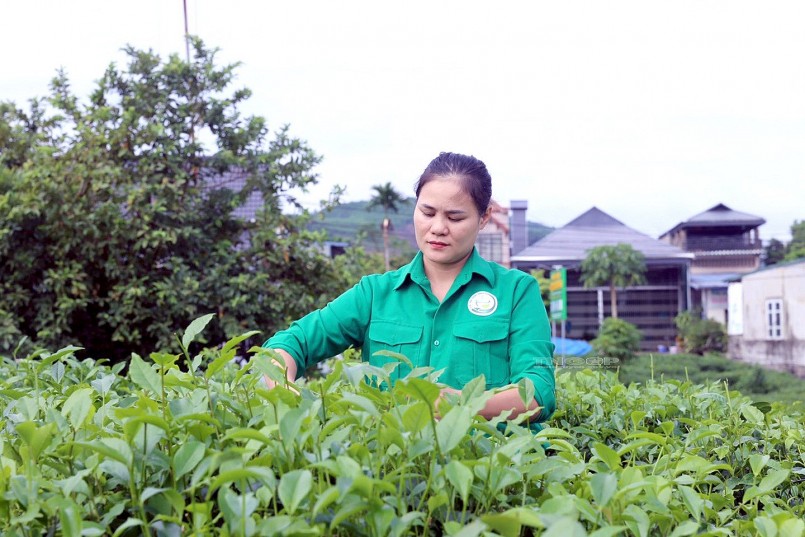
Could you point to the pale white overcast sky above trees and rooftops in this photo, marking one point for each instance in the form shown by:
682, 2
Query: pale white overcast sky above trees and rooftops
652, 111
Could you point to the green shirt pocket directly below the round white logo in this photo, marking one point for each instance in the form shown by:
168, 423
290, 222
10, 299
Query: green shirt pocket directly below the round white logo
482, 348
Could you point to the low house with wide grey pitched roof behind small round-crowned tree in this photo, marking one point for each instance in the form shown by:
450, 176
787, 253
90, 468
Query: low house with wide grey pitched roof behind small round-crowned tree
652, 307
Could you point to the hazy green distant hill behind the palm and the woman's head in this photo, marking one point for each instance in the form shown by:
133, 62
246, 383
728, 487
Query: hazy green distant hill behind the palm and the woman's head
346, 221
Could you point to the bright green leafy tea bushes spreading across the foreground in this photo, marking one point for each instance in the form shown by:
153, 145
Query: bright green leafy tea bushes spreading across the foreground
193, 445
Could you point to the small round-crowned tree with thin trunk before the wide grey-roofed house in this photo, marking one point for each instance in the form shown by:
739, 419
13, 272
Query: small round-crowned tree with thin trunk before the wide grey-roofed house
615, 266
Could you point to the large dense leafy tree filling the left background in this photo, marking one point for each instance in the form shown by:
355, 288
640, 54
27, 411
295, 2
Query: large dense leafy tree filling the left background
117, 222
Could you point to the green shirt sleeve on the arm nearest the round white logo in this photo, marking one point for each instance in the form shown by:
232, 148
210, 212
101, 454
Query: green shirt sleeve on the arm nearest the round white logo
530, 346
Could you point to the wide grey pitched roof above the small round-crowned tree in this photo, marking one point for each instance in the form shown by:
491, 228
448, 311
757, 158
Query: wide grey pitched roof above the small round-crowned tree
596, 228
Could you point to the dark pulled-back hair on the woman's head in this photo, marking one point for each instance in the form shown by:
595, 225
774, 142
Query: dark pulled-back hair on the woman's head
474, 177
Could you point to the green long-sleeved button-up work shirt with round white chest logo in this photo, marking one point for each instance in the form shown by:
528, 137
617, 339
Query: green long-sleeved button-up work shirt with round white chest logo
492, 322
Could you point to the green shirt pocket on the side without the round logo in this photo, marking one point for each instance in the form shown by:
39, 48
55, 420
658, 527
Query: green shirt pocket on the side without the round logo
405, 339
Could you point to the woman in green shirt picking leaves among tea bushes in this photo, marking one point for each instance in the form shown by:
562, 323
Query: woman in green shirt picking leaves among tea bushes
448, 309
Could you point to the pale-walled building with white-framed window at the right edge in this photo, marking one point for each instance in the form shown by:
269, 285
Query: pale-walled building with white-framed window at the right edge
767, 317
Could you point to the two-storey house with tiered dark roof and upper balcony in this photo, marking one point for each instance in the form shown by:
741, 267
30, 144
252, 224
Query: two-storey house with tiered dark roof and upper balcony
725, 244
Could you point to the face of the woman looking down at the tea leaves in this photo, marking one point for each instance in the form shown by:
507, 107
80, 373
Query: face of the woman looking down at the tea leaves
446, 222
